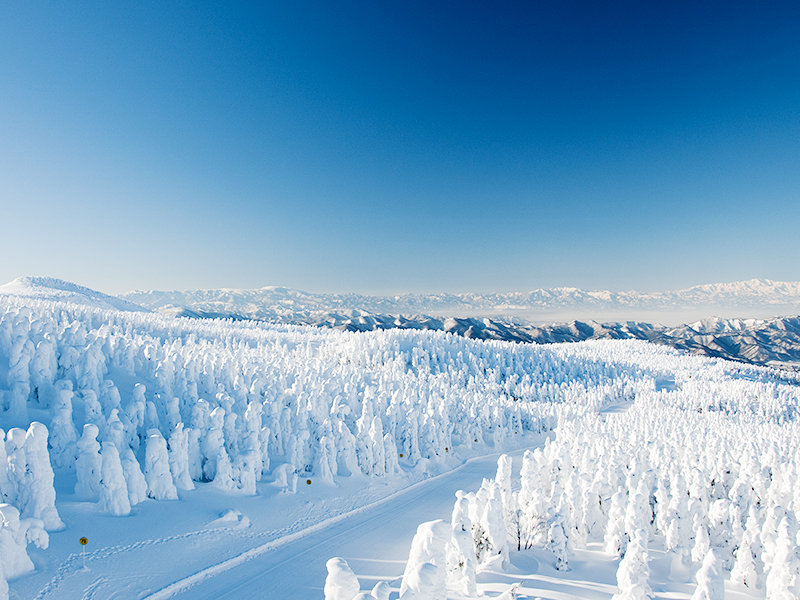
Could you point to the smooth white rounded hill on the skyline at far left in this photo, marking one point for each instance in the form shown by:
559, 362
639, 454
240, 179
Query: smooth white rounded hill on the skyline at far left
58, 290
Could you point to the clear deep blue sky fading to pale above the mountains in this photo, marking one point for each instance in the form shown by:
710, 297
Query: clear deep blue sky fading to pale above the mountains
400, 147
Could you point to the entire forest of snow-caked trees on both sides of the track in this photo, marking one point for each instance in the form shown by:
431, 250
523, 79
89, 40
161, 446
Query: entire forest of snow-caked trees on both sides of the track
113, 410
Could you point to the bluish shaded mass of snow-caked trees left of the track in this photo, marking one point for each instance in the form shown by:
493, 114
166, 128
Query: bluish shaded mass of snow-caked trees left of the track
140, 406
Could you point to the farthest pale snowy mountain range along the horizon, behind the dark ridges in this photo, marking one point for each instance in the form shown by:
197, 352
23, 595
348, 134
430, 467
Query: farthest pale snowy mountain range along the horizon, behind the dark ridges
270, 303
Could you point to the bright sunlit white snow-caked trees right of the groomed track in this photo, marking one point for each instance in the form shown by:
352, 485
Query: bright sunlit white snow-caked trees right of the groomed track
704, 465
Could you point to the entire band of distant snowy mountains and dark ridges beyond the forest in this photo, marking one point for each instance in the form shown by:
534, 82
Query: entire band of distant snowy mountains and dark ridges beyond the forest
773, 342
